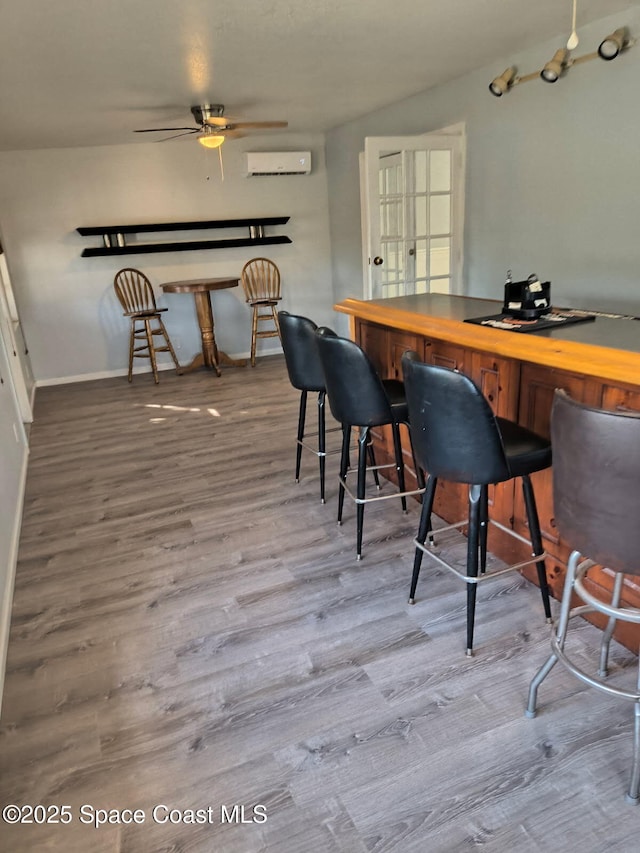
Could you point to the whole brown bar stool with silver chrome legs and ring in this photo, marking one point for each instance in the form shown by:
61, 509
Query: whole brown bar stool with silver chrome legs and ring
596, 497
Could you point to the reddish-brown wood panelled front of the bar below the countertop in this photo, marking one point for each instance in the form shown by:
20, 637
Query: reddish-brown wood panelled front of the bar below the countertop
521, 391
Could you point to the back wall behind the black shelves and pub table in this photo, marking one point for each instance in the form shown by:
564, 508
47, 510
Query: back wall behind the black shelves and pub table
71, 318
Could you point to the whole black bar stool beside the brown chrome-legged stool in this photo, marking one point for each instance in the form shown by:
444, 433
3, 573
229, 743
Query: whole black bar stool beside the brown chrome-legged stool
457, 437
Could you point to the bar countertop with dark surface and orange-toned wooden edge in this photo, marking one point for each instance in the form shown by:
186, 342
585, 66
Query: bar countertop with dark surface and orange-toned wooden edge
606, 348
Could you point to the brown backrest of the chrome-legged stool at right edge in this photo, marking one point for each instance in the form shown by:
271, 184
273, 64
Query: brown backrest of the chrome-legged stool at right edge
596, 482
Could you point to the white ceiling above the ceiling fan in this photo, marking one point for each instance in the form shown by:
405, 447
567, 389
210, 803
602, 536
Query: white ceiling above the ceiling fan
88, 72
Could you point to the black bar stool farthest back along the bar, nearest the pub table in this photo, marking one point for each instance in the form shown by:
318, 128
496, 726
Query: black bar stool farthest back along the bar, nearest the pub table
298, 336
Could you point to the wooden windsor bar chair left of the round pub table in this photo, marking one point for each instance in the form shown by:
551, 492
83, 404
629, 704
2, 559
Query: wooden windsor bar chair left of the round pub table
135, 294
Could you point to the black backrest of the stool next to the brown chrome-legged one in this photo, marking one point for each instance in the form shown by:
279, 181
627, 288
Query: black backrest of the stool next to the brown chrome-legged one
454, 432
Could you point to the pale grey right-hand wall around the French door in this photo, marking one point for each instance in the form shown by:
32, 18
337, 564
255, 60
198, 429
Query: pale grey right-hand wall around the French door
552, 175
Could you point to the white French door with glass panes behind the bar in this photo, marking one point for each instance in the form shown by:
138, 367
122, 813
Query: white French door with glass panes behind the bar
413, 200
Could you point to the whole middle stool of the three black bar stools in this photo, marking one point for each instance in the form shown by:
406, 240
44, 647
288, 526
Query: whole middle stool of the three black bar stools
359, 398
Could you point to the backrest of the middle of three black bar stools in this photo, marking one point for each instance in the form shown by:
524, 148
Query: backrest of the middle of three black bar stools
356, 393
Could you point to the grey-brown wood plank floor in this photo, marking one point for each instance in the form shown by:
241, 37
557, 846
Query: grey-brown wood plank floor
191, 630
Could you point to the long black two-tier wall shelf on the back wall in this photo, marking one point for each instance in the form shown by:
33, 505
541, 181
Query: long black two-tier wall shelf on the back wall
114, 239
